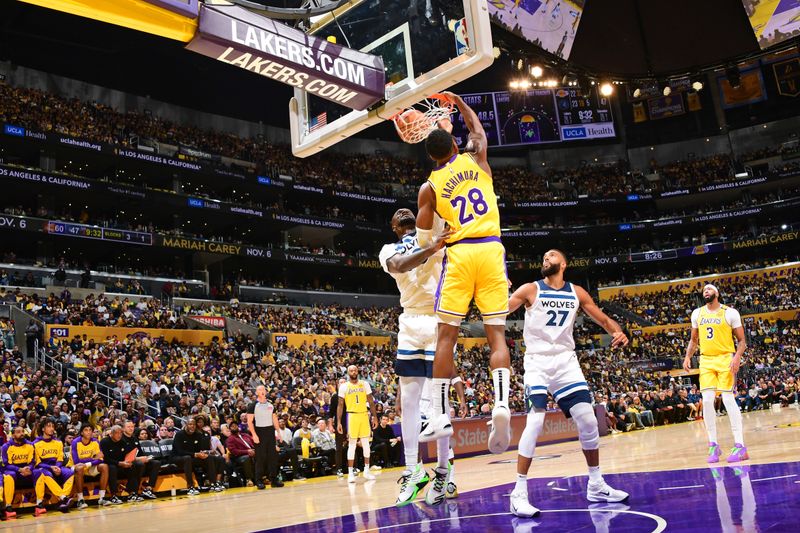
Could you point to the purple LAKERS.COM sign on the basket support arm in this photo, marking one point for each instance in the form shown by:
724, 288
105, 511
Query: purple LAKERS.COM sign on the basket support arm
263, 46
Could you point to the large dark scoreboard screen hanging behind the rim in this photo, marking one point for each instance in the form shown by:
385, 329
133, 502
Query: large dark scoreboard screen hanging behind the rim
538, 116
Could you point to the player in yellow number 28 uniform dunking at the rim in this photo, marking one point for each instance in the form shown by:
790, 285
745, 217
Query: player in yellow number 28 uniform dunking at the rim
460, 190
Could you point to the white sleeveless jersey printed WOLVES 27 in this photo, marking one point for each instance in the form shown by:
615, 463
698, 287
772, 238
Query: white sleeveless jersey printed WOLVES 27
549, 321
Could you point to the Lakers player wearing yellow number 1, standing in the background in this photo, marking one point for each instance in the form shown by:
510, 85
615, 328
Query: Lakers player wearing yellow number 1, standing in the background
357, 396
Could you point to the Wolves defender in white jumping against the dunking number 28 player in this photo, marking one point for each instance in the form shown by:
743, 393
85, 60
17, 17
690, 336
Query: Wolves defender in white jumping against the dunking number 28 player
416, 271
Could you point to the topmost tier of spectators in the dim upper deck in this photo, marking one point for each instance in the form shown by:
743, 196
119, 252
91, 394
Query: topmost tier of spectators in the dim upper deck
43, 111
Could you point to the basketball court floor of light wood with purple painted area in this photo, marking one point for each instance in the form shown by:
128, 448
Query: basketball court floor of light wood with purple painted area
664, 469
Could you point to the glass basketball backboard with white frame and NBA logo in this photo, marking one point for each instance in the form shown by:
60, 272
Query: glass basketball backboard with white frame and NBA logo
426, 46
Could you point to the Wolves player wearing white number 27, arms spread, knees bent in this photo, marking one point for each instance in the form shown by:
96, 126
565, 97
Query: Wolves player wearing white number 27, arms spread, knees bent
551, 305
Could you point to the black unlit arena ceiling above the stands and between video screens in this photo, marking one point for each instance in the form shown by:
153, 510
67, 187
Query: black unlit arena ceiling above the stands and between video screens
626, 38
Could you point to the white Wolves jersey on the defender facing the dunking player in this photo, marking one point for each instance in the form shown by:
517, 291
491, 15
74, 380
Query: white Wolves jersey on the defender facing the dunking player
418, 286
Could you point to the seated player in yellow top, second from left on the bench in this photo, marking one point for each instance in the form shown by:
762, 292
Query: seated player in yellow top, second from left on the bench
50, 462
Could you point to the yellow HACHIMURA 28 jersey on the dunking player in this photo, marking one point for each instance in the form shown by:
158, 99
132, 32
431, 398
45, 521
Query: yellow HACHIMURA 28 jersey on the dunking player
465, 199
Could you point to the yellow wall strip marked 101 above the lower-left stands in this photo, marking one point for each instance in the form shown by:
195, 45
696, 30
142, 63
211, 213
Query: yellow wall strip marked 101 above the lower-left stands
98, 334
